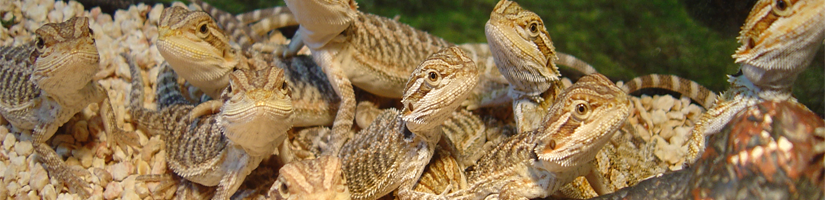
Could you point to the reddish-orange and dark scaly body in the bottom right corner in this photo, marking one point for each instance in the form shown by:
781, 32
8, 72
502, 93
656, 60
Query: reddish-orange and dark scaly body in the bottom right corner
771, 150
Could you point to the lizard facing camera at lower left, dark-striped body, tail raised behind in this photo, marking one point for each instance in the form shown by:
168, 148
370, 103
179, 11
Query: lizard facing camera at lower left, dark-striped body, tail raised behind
221, 149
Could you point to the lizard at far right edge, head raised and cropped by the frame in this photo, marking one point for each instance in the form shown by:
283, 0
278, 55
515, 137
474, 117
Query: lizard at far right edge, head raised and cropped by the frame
779, 39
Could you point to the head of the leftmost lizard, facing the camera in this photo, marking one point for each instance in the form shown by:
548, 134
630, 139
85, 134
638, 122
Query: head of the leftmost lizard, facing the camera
66, 56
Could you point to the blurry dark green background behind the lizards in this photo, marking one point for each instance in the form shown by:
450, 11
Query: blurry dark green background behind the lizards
693, 39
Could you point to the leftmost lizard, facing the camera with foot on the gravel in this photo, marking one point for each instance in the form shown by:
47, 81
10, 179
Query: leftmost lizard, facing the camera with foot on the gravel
46, 82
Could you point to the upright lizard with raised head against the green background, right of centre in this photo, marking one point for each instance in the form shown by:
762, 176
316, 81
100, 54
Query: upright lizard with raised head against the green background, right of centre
525, 56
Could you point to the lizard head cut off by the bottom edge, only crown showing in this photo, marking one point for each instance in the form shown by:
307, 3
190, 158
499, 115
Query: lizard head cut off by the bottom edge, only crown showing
320, 178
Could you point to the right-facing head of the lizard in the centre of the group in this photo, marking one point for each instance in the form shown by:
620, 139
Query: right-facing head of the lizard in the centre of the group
436, 88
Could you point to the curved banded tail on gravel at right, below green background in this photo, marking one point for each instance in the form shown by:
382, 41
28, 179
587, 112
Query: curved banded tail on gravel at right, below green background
684, 86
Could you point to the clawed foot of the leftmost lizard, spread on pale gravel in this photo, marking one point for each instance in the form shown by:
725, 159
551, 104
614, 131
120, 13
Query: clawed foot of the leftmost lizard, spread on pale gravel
69, 176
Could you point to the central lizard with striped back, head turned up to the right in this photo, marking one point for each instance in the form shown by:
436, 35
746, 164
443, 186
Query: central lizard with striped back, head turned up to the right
392, 152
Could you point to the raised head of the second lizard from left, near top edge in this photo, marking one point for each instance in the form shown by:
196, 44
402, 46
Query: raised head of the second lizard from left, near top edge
196, 48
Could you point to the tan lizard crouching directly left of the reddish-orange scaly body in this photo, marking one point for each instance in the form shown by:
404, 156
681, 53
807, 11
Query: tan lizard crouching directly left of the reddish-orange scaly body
535, 164
